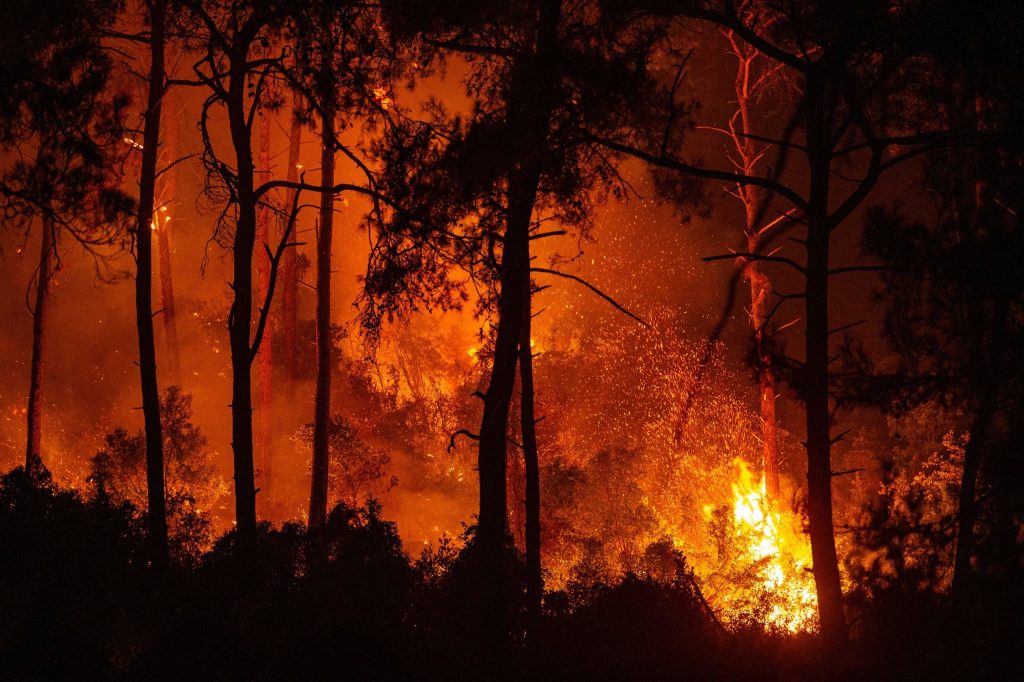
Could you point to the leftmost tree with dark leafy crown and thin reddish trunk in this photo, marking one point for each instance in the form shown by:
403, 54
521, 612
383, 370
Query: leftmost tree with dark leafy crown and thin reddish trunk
63, 121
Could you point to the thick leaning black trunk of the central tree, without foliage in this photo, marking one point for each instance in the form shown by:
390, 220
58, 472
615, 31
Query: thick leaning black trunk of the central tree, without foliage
530, 114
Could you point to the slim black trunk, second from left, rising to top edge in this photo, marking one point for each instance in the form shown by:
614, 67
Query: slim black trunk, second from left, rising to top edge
157, 513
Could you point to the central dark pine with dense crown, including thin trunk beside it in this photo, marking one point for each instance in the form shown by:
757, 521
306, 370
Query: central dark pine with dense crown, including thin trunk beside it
539, 71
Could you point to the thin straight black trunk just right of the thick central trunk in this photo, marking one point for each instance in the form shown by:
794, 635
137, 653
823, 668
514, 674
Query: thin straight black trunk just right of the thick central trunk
535, 578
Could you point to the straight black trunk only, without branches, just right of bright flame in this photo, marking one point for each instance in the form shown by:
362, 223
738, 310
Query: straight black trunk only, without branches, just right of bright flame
820, 495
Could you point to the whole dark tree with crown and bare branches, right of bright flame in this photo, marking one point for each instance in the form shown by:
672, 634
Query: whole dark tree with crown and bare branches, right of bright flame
847, 91
